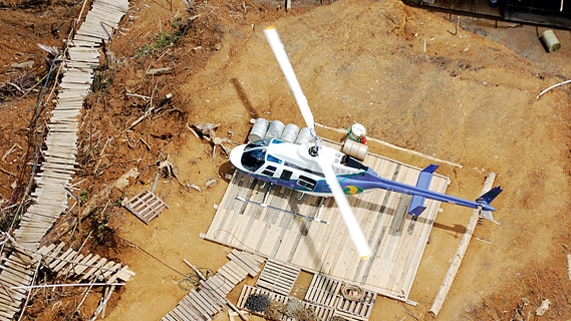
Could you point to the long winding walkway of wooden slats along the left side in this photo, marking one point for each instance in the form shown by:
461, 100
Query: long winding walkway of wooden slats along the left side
50, 196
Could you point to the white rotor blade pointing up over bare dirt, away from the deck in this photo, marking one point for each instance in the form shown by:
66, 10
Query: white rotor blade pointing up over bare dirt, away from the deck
281, 55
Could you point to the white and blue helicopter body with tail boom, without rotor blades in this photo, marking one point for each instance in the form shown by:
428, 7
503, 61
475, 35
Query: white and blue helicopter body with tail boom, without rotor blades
292, 165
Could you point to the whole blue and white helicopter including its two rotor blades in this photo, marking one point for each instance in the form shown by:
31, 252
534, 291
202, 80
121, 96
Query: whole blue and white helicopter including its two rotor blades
314, 169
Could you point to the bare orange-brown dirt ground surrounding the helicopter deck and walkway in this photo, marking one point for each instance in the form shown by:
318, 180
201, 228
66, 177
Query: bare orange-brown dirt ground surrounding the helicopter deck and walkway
466, 96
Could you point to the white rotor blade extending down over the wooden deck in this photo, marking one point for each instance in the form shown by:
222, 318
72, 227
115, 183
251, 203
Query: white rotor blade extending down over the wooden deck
355, 231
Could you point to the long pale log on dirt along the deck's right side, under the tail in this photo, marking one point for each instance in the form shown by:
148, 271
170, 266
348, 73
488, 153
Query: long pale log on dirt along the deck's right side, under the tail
460, 252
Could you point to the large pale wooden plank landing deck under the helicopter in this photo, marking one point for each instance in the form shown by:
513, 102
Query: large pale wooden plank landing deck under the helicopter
397, 241
